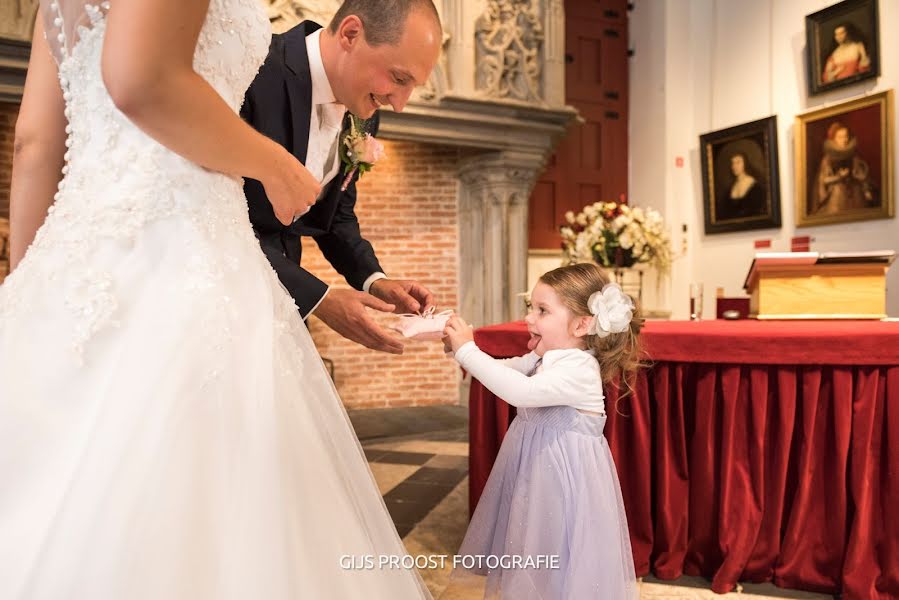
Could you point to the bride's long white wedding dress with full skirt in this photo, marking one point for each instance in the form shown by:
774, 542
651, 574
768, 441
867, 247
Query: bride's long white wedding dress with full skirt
167, 428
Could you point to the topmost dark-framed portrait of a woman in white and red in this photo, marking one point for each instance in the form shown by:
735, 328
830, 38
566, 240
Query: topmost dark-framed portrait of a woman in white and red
842, 45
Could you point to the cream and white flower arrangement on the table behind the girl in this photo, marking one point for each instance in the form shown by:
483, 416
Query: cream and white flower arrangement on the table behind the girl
616, 235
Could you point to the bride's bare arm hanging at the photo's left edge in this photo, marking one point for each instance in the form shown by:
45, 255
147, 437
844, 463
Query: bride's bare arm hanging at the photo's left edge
38, 148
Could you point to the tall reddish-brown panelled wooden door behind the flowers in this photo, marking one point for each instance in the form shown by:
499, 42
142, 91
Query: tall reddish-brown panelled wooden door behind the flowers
590, 164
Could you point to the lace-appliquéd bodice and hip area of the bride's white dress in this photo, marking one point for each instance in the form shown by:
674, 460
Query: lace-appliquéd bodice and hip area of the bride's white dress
117, 181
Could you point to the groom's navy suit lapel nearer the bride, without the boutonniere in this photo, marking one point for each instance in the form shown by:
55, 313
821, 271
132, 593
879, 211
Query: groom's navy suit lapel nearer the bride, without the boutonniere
299, 85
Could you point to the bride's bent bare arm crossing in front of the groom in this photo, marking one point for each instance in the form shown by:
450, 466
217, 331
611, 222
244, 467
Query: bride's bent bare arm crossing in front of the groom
148, 70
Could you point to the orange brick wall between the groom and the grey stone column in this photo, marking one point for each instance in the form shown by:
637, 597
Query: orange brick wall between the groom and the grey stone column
408, 210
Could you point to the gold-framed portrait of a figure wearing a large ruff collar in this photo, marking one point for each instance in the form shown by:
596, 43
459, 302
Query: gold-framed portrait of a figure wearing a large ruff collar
844, 162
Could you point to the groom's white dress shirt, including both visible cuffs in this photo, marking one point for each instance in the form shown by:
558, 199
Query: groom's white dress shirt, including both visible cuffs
325, 121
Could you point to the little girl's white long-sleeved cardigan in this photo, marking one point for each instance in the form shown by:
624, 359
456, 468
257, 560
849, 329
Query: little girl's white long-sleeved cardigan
565, 377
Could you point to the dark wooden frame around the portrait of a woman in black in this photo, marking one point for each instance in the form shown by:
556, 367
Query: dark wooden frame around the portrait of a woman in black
708, 143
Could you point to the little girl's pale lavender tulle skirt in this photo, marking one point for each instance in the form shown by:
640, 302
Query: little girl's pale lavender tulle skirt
550, 524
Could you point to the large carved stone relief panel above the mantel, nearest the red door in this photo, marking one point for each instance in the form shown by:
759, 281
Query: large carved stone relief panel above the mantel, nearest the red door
509, 38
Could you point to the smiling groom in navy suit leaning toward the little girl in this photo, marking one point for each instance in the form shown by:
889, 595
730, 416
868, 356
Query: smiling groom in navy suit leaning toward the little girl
374, 53
